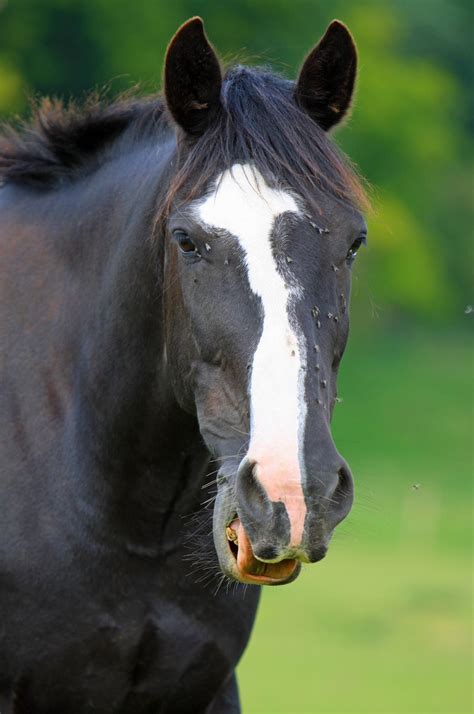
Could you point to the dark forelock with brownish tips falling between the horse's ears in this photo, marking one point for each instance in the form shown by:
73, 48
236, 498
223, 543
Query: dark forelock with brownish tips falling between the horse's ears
262, 125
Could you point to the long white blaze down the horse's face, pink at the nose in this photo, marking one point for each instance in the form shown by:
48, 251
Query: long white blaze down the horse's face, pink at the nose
244, 205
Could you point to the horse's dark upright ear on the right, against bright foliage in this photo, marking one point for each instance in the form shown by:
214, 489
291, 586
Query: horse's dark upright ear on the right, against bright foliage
326, 80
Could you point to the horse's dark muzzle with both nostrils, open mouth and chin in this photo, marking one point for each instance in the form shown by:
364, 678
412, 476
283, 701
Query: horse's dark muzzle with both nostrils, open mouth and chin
253, 534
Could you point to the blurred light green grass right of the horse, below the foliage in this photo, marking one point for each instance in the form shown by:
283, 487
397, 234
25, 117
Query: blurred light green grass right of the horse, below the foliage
383, 624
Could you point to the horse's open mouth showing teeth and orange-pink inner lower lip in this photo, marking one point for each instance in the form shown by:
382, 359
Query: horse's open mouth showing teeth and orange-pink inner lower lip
250, 569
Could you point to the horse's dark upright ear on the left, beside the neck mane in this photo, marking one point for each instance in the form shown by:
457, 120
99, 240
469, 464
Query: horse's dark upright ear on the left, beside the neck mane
192, 78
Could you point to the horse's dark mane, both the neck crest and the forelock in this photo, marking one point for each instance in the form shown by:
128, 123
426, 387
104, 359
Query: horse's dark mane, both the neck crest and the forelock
260, 124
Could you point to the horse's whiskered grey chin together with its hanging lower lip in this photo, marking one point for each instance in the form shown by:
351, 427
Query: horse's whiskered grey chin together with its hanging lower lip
234, 550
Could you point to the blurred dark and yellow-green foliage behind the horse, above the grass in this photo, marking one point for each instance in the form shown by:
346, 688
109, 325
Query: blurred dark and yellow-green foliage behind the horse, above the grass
411, 132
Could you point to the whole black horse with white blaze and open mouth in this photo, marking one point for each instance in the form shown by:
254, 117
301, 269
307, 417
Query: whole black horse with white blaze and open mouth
175, 276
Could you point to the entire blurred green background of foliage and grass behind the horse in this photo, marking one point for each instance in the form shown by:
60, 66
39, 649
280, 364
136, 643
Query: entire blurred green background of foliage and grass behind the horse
383, 624
